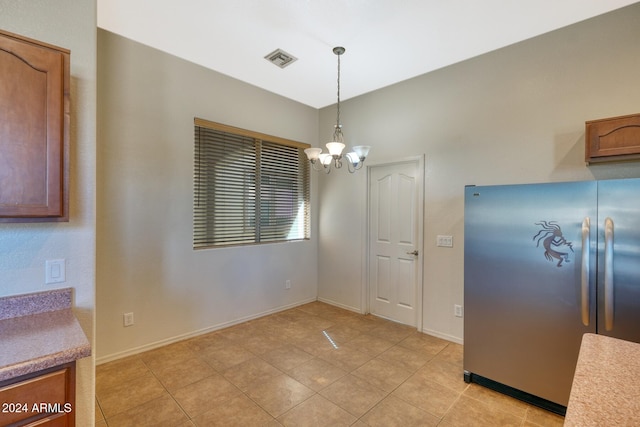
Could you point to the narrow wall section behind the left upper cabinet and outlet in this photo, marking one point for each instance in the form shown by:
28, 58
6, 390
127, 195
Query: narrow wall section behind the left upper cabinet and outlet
24, 248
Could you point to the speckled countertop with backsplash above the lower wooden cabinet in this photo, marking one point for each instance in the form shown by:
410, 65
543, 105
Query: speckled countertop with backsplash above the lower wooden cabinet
39, 331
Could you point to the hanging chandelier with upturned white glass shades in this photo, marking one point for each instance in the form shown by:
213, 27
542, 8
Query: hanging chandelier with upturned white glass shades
325, 161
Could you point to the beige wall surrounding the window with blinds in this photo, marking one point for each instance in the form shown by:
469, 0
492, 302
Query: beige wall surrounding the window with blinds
146, 264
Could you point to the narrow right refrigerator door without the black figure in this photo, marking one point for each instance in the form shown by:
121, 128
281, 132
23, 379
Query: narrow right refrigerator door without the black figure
619, 259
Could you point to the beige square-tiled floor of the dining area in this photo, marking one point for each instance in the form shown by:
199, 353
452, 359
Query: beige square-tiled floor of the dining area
314, 365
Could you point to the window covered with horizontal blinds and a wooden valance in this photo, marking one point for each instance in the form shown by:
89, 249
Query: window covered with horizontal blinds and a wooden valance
248, 187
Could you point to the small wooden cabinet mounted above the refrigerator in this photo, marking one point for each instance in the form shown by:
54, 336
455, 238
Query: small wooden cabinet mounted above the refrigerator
616, 138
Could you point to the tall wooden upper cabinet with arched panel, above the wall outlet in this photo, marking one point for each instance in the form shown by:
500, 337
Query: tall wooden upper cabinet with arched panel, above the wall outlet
34, 130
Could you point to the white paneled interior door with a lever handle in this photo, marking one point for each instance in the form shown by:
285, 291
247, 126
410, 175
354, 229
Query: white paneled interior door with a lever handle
395, 252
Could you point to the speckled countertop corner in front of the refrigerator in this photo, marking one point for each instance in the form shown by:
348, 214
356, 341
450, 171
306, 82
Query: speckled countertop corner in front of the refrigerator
605, 390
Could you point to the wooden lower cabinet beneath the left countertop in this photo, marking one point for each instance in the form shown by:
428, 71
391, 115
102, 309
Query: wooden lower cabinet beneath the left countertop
44, 398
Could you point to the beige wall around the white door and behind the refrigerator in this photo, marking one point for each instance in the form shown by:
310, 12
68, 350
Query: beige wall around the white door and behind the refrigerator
515, 115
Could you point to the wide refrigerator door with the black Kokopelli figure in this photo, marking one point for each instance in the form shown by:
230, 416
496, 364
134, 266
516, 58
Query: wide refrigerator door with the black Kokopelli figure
523, 285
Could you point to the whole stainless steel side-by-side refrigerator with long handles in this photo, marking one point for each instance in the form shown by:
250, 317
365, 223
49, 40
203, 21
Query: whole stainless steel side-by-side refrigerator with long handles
543, 265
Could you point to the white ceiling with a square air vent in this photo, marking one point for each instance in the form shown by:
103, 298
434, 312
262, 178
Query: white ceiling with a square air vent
386, 41
